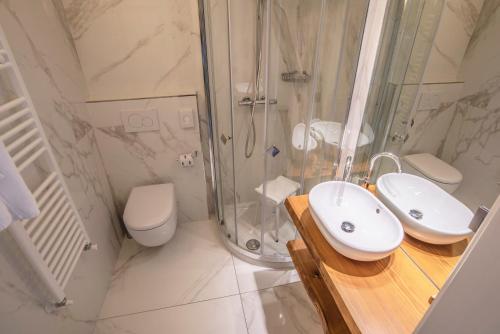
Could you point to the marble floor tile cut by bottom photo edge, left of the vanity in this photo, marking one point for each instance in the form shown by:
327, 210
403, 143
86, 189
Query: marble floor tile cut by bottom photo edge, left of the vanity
217, 316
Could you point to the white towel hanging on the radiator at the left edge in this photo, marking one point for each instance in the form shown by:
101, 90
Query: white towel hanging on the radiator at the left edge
15, 196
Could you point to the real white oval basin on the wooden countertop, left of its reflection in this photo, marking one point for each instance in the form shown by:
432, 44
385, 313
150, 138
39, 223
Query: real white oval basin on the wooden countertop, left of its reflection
354, 221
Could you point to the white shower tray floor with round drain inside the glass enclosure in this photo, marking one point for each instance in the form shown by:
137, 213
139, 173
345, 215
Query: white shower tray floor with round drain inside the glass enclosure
248, 219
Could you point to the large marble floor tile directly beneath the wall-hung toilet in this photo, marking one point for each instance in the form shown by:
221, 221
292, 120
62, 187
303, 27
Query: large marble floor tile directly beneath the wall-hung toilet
193, 266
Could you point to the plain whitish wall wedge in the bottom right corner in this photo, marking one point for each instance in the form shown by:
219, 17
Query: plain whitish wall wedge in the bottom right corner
470, 300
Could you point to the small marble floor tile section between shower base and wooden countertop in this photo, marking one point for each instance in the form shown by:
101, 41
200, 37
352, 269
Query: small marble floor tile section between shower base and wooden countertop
252, 278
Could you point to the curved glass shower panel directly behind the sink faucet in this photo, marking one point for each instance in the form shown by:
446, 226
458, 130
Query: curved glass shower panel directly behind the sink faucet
336, 64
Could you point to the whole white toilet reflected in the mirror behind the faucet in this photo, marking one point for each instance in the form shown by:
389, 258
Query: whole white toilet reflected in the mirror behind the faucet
434, 169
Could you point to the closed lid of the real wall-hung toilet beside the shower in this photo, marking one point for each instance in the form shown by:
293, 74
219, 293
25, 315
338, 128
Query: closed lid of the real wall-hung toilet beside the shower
149, 206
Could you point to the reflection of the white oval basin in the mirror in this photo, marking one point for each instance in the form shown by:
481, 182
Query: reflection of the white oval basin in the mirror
428, 213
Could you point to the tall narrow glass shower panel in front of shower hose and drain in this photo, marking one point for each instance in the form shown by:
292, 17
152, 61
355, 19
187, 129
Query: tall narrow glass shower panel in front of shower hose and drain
248, 35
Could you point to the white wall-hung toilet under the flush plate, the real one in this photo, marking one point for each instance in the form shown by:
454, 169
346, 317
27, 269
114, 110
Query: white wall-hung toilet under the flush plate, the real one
151, 214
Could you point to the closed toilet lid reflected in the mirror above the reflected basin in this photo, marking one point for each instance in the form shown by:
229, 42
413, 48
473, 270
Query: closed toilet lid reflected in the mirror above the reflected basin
434, 168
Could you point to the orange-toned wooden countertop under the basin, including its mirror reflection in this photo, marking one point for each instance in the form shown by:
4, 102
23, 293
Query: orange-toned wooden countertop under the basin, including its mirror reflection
386, 296
